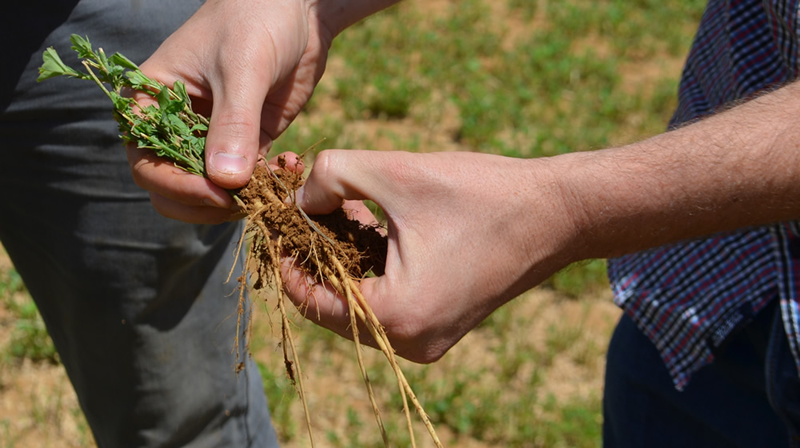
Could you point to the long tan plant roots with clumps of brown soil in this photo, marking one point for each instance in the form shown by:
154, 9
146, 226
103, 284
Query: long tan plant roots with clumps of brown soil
331, 249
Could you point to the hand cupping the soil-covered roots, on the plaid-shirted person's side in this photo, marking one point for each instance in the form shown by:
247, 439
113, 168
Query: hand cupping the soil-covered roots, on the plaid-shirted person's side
467, 232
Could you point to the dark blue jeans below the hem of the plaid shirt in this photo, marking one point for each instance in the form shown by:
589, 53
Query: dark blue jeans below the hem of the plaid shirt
748, 397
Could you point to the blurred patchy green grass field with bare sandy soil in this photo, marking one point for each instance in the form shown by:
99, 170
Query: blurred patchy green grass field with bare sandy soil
512, 77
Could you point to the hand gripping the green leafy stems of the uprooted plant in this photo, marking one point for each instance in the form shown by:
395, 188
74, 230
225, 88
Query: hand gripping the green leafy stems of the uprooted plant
252, 67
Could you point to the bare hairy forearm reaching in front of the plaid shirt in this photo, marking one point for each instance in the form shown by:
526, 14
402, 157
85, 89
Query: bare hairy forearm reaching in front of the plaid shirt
736, 169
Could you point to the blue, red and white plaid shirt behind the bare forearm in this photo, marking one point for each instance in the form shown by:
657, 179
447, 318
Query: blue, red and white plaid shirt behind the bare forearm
687, 298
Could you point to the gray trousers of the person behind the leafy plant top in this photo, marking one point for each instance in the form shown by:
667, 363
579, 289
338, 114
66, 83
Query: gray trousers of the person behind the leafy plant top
136, 304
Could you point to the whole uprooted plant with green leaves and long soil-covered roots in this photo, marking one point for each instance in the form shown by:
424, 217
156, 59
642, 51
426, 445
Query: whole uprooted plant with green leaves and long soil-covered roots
332, 249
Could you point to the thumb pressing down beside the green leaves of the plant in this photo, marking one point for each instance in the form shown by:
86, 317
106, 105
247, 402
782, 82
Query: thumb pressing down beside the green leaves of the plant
235, 137
